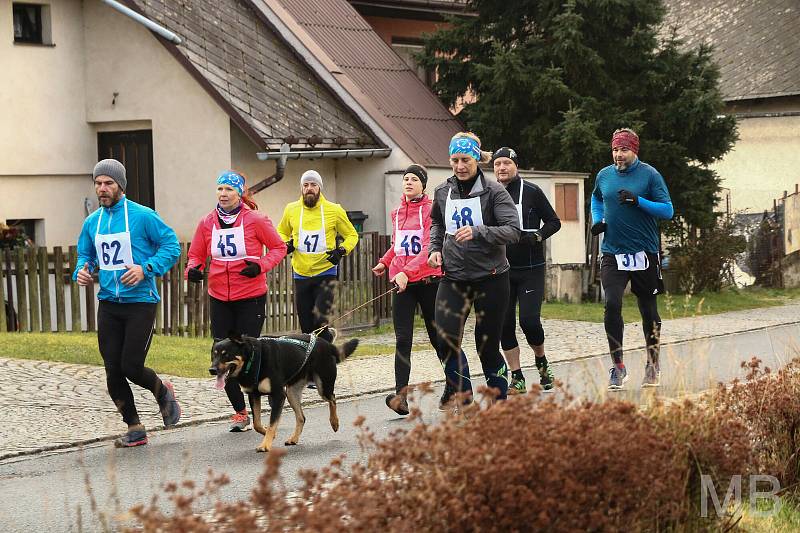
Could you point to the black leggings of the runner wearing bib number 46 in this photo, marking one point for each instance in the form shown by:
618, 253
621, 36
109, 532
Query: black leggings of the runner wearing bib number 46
404, 305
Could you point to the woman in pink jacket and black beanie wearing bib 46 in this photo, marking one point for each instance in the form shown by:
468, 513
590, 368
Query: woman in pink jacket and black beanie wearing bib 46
417, 283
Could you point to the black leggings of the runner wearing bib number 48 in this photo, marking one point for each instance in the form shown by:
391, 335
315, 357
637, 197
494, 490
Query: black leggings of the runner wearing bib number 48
455, 299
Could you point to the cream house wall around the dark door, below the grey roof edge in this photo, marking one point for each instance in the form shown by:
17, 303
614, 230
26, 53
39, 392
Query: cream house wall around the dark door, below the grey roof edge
191, 133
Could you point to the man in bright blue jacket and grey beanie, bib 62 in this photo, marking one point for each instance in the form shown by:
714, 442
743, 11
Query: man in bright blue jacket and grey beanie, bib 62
130, 245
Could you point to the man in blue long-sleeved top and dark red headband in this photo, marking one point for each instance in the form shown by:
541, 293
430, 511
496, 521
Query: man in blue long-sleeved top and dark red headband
629, 198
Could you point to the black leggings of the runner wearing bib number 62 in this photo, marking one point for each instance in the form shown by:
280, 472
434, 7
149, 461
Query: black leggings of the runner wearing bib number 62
124, 332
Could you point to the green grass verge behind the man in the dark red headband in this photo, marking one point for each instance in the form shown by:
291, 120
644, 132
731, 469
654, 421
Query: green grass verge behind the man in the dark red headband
679, 305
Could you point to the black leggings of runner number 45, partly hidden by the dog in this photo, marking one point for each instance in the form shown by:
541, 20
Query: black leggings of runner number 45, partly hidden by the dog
245, 317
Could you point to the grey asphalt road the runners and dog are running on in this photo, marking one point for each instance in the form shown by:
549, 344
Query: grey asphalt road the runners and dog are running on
71, 489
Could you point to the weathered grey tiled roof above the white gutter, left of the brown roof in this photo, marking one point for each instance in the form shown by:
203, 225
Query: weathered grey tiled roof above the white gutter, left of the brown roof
263, 85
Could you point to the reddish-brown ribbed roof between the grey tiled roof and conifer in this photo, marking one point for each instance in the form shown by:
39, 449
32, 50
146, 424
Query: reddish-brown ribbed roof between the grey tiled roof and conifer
396, 99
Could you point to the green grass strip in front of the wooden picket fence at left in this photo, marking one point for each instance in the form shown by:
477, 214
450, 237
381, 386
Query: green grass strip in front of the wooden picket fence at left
179, 356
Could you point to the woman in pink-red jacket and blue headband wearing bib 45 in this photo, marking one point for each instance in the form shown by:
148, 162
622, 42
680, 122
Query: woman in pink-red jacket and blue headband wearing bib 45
235, 235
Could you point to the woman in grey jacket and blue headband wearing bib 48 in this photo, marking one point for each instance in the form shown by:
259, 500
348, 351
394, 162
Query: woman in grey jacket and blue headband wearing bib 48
471, 222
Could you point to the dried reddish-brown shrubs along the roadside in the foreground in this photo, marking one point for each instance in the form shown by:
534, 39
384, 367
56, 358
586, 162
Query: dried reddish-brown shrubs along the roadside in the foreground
530, 464
